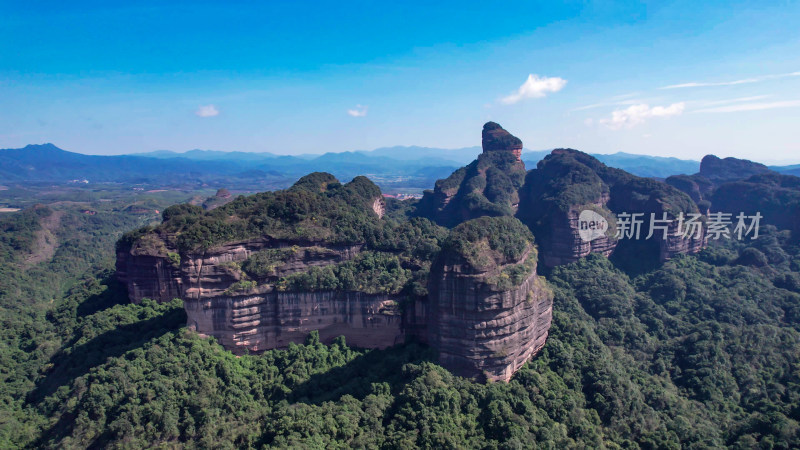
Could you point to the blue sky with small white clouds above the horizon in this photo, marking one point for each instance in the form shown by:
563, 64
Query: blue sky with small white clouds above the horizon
661, 78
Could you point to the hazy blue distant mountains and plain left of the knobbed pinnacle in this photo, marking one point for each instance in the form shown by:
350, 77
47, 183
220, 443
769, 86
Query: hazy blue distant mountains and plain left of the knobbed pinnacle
48, 163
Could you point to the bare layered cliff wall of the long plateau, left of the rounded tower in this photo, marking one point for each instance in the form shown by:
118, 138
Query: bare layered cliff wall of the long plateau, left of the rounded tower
259, 318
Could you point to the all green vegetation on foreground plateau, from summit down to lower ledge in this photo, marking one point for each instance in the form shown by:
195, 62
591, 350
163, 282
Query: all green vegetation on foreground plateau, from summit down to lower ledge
317, 210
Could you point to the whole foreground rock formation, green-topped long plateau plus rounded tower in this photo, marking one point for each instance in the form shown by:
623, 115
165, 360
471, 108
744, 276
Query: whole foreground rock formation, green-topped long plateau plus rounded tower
326, 261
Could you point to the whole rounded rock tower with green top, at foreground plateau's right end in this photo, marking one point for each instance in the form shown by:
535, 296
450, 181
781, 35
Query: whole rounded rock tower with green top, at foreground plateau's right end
488, 313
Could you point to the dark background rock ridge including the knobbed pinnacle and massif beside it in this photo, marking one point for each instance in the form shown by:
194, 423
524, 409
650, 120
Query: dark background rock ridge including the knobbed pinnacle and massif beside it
551, 197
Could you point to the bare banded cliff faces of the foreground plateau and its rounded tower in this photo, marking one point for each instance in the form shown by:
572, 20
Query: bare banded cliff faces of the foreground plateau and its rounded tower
487, 313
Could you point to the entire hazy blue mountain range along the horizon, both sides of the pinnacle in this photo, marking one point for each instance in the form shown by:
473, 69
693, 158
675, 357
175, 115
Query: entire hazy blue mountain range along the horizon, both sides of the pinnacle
389, 166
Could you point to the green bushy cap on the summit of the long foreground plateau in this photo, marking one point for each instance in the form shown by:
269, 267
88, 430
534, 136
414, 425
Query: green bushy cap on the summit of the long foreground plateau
314, 209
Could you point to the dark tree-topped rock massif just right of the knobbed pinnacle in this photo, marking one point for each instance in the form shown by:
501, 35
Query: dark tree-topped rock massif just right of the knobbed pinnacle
568, 182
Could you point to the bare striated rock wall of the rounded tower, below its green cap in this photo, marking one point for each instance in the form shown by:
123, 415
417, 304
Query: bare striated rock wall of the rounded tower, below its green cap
481, 331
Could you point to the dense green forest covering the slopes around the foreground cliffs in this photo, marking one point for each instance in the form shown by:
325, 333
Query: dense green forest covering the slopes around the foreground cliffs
702, 352
